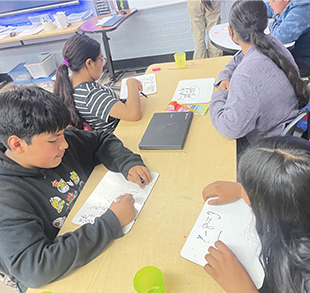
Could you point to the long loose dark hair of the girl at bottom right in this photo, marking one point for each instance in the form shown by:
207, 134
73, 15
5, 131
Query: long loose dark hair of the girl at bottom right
276, 177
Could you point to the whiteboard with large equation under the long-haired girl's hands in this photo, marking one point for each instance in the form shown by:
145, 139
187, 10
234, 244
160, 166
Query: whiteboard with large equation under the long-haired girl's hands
234, 225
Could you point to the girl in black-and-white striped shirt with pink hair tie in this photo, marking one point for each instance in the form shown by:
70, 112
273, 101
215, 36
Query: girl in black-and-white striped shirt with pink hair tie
87, 100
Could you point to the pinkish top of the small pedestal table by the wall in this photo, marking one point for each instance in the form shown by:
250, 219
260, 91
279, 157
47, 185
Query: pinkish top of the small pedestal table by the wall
91, 26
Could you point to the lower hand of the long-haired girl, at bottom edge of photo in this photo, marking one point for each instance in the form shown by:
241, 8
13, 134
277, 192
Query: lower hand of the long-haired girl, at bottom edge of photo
224, 267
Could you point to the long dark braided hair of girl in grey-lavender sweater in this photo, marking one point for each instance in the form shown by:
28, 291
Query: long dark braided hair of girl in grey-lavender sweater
249, 19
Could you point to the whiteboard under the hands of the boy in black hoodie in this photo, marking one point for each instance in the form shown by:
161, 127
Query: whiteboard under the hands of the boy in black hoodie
109, 188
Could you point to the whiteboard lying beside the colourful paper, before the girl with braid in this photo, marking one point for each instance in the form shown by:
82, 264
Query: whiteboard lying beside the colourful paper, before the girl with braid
194, 91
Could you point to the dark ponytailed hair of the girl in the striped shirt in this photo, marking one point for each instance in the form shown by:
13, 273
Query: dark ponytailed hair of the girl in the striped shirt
77, 49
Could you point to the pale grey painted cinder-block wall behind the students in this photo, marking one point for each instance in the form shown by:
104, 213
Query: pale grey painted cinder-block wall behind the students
150, 32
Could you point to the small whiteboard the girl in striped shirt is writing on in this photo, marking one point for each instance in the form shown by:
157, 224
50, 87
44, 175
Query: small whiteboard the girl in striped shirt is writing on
148, 83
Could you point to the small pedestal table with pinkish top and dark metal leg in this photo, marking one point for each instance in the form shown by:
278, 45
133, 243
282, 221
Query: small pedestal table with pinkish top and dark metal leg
90, 26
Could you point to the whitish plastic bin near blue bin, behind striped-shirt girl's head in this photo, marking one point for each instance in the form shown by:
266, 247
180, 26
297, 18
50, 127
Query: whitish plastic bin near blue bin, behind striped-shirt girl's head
42, 65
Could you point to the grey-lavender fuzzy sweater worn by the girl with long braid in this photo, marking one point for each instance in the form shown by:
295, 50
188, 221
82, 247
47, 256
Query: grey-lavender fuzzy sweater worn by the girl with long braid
260, 100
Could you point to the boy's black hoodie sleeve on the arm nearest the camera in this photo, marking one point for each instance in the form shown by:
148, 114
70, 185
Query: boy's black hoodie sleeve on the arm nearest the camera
35, 260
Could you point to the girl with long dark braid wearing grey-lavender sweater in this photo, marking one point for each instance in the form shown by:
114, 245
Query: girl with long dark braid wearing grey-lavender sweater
260, 90
